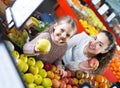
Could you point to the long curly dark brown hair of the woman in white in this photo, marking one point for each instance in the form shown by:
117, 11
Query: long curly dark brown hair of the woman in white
106, 57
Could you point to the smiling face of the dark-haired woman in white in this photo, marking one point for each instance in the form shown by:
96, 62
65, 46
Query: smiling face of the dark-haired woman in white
98, 44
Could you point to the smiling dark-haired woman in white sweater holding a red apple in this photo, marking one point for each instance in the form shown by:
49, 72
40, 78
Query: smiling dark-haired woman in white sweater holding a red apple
82, 47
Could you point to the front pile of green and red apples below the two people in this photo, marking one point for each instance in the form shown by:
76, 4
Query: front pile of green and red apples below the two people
38, 74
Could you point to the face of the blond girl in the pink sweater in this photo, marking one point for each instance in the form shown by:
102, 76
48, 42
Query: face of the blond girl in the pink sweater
62, 33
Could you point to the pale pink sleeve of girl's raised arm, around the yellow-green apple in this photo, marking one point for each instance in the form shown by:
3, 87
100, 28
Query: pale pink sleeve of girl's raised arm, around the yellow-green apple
28, 48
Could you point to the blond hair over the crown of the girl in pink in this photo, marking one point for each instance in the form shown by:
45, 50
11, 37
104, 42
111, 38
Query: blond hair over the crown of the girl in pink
69, 20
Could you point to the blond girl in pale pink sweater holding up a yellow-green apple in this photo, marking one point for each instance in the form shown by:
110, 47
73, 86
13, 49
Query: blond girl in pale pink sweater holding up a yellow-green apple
58, 34
